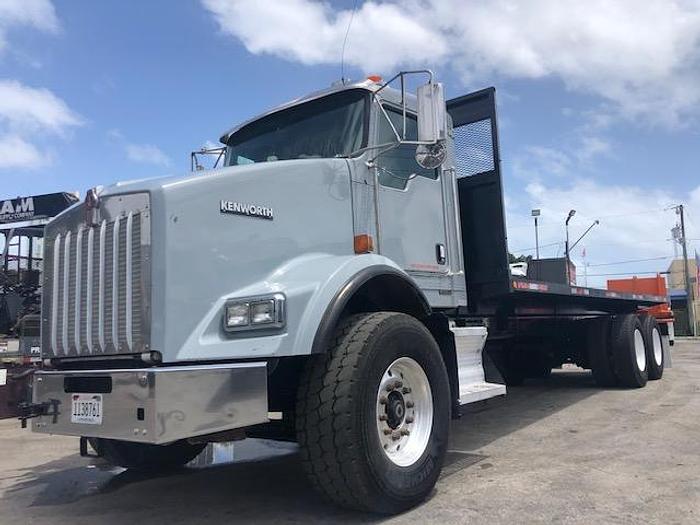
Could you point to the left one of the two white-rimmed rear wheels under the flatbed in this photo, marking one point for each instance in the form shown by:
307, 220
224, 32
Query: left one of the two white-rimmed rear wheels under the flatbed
629, 351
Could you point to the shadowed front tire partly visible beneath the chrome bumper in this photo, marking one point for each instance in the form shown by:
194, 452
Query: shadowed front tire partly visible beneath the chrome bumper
144, 456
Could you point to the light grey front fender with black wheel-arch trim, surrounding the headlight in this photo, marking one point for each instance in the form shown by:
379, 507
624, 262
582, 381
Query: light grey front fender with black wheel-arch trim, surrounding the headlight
318, 287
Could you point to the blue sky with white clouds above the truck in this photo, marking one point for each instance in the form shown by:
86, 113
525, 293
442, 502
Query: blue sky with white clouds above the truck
598, 101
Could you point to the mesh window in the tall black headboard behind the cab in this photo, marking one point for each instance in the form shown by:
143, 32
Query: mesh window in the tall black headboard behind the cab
474, 148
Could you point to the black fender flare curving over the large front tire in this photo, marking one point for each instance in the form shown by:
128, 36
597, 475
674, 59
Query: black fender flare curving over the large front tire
417, 306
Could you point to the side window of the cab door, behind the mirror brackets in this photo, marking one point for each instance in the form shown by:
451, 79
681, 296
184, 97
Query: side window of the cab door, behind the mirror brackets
398, 165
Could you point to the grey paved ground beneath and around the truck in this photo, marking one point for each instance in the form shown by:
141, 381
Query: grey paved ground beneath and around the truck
560, 451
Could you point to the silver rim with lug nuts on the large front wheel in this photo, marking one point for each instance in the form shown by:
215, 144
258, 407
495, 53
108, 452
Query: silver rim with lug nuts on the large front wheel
404, 413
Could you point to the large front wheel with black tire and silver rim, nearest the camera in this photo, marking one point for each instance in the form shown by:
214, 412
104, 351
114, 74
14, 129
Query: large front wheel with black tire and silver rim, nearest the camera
373, 414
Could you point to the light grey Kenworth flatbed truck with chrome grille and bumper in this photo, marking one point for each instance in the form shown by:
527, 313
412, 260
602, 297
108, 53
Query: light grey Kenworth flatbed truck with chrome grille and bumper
342, 281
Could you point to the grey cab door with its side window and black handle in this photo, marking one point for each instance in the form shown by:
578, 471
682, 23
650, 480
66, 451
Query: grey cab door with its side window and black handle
410, 203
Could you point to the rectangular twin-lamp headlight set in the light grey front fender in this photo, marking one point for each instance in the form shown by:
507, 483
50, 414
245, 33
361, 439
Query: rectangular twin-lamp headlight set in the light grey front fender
265, 312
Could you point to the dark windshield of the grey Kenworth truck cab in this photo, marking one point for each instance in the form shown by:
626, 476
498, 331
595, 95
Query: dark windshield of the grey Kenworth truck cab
328, 127
